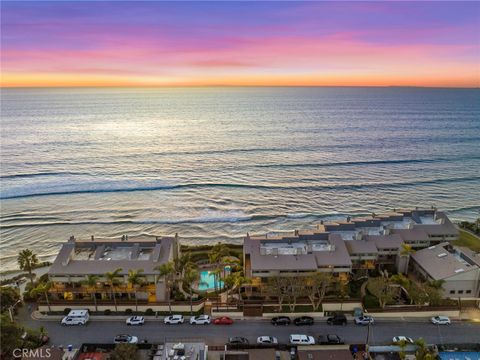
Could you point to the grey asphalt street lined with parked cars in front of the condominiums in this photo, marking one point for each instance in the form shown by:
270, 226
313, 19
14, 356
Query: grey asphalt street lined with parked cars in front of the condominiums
155, 331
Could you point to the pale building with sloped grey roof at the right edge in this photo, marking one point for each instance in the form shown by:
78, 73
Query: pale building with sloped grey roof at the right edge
458, 269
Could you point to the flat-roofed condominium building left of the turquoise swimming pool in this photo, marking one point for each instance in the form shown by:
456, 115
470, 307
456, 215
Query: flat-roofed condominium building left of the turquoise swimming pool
79, 260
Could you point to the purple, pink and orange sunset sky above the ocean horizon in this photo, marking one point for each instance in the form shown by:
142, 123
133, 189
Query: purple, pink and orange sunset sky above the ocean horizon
118, 43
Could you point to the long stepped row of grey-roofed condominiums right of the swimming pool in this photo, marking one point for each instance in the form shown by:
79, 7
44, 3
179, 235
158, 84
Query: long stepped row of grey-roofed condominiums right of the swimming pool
341, 247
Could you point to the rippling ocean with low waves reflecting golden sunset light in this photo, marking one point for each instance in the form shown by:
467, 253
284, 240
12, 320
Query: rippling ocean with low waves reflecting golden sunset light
212, 164
